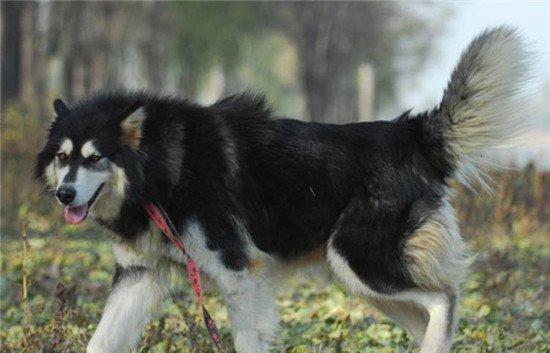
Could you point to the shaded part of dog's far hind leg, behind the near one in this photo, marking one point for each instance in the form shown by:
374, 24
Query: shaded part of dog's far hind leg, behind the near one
413, 317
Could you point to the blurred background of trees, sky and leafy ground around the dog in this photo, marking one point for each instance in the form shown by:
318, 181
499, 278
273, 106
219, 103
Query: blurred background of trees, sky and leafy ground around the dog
335, 62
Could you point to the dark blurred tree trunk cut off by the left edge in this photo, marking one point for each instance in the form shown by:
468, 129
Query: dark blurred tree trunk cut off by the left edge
11, 50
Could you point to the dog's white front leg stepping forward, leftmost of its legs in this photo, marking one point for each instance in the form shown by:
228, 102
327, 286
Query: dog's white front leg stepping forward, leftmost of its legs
136, 294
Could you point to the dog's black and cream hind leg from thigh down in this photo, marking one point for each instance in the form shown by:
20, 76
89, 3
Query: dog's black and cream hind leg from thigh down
371, 257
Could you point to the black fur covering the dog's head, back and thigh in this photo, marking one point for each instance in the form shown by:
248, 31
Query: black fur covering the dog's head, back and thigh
293, 184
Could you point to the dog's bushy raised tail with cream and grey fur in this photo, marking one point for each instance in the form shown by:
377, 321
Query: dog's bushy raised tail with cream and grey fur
485, 105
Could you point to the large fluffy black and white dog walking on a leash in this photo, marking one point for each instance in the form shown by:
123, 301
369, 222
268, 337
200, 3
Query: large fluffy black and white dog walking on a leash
250, 191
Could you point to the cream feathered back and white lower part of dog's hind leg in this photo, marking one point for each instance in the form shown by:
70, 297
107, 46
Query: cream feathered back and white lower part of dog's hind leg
436, 258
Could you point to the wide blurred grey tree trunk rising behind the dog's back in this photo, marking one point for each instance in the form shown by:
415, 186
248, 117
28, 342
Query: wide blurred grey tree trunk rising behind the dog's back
328, 73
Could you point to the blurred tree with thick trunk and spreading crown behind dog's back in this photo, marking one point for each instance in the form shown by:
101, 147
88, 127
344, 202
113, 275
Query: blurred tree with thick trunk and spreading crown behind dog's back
334, 38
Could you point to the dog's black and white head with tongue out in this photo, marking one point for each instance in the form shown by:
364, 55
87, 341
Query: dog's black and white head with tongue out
86, 157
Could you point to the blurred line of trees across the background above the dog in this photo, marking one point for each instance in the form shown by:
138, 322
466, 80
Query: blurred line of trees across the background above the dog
85, 46
